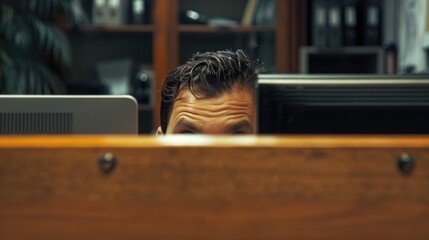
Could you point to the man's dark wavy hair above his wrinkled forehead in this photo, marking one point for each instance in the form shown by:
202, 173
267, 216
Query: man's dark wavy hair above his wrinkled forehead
207, 75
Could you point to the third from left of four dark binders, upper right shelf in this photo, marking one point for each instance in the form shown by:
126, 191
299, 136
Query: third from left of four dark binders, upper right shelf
351, 23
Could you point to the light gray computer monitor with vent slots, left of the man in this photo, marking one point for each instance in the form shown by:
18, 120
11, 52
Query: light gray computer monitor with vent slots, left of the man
66, 114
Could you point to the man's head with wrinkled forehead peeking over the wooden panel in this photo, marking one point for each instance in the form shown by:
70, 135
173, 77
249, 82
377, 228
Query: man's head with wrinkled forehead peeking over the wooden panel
213, 93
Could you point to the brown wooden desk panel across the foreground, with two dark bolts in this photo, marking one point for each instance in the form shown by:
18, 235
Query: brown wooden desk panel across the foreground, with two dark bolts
213, 188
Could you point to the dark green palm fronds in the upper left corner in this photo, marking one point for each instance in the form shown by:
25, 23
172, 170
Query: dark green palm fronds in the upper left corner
30, 41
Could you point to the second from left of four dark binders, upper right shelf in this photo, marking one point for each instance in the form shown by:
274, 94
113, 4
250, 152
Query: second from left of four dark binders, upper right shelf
335, 30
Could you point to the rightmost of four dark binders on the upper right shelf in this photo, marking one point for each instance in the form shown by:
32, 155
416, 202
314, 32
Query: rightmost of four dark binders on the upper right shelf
372, 22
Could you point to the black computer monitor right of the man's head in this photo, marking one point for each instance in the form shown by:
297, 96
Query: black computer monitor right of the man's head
343, 104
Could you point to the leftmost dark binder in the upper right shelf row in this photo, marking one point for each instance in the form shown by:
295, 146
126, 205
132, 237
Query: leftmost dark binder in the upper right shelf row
319, 23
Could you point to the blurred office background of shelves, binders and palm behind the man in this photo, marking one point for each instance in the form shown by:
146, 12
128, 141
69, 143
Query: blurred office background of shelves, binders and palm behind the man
129, 46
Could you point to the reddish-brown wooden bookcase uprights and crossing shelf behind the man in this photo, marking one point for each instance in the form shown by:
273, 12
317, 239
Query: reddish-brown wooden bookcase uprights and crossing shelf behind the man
288, 38
